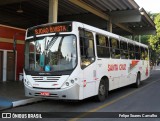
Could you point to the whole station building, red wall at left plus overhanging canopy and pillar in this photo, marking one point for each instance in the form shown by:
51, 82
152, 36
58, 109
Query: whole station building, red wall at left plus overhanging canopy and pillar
122, 17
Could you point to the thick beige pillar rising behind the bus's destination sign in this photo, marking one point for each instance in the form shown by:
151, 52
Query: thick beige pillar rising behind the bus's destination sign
53, 11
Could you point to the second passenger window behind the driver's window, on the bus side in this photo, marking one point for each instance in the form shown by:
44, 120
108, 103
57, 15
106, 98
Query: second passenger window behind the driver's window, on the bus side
115, 51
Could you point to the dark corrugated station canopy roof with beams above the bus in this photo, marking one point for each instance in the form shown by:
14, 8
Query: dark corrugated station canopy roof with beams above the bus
126, 16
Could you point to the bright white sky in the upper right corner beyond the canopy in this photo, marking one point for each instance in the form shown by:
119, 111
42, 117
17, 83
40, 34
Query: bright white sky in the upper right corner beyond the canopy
152, 6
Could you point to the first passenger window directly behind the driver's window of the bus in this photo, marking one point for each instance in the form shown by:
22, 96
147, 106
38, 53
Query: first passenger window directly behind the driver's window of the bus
102, 46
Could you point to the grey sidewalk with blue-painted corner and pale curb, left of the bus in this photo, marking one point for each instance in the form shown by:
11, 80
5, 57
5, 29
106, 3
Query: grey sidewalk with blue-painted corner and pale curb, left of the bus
12, 95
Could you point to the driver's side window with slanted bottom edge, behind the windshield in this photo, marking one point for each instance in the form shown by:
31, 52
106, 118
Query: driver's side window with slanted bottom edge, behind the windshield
86, 48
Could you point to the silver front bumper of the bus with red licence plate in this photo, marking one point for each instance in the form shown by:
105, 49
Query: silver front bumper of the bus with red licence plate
71, 93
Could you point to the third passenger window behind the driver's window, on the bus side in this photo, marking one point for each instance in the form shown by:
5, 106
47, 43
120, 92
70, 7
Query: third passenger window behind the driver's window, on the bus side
124, 50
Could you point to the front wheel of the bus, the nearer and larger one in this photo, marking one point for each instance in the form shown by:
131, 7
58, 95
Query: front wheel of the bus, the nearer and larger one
102, 91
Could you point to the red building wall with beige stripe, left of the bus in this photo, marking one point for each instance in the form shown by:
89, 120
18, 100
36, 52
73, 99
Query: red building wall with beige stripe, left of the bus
11, 64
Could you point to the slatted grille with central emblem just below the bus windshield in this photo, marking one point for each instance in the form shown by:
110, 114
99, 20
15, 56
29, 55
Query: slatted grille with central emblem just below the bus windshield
46, 78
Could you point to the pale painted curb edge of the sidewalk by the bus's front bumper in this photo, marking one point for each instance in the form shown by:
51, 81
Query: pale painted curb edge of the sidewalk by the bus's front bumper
25, 101
